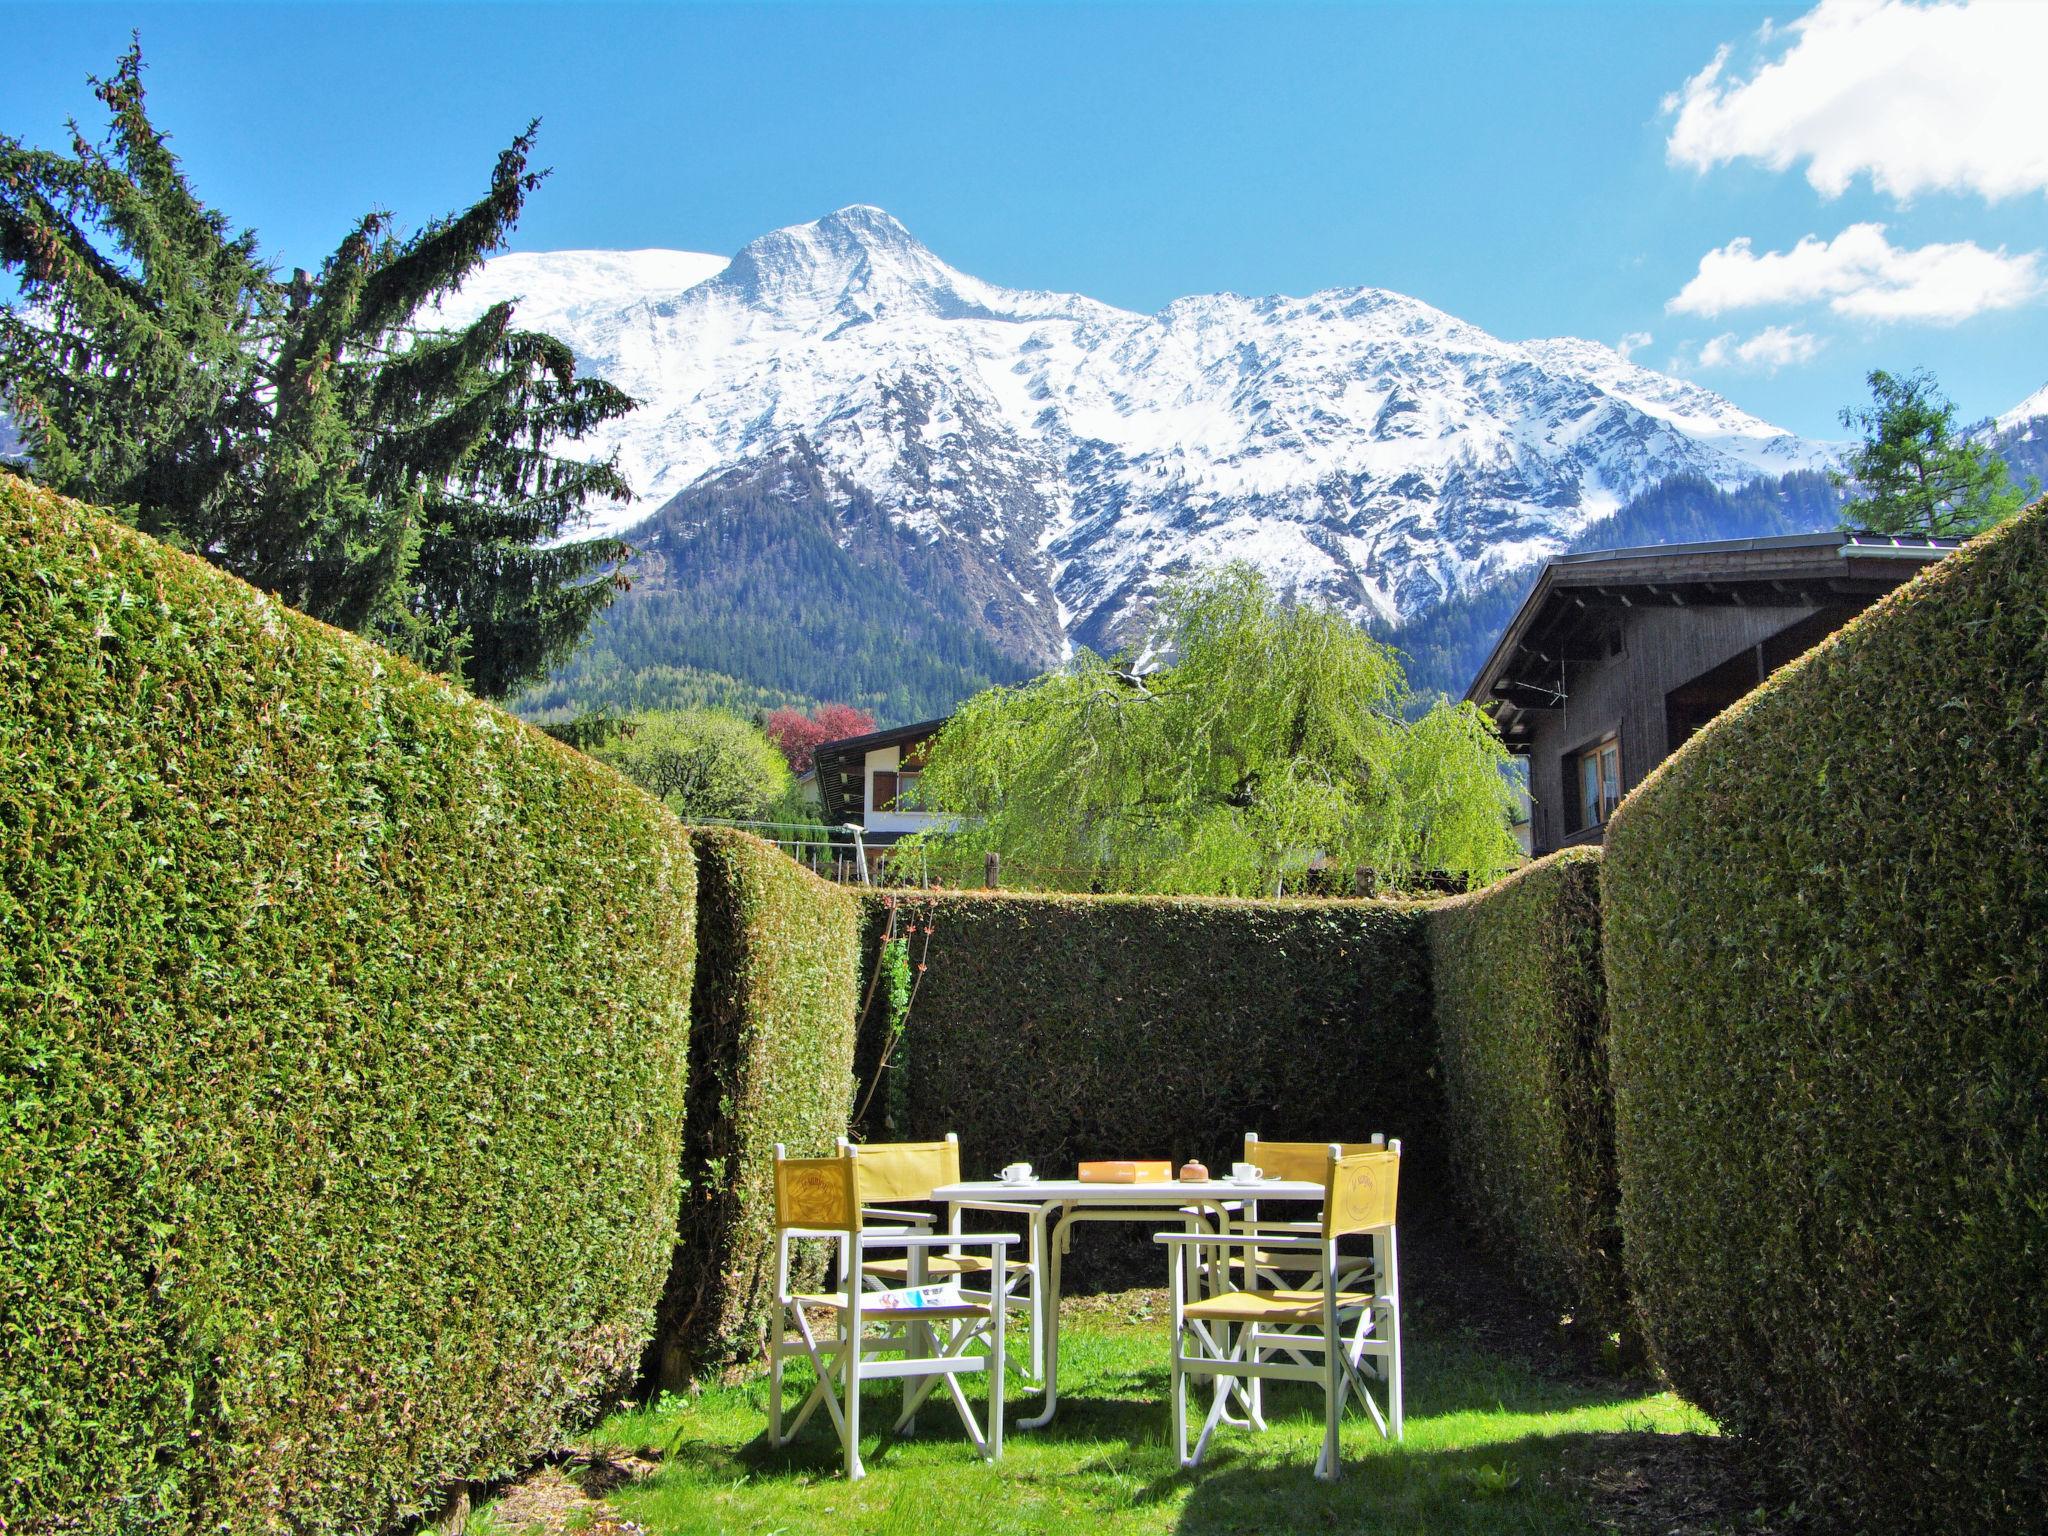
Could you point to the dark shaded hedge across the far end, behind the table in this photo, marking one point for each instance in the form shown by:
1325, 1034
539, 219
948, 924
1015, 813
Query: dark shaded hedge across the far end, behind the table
1058, 1029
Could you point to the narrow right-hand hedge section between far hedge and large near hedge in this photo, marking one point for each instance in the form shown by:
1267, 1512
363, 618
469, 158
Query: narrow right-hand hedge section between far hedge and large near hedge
1523, 1035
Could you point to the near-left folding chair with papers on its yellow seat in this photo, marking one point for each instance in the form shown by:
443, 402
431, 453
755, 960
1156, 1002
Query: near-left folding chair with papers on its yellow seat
919, 1336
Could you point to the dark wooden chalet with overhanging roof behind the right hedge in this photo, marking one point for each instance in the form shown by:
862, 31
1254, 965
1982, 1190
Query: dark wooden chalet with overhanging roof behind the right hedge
1621, 654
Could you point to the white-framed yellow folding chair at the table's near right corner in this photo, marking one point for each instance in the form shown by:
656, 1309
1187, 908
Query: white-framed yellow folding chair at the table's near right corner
1240, 1338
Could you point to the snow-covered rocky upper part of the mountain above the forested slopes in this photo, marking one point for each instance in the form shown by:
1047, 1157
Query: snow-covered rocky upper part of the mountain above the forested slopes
1058, 458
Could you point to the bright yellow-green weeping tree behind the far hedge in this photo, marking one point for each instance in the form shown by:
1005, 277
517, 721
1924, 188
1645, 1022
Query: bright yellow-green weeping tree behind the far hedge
1273, 744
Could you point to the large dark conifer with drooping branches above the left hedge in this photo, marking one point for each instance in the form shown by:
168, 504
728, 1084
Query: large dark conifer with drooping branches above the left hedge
318, 435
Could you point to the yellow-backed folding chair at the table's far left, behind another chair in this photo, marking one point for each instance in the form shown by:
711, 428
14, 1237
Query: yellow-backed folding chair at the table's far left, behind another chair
908, 1172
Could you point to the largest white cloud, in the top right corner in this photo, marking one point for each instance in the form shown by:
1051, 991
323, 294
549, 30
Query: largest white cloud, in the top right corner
1920, 97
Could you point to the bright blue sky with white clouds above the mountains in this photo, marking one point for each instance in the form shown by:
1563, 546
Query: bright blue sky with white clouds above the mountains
1517, 165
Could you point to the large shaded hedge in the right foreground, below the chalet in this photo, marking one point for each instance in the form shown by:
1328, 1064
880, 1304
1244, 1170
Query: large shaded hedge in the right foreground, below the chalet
1828, 972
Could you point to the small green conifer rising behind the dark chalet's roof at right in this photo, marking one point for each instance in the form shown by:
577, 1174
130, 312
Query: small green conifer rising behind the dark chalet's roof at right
1916, 472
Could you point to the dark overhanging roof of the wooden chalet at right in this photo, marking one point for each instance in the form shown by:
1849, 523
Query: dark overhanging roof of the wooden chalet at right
1578, 597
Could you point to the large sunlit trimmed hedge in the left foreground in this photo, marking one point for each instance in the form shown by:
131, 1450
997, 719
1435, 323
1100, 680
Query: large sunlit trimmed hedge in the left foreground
343, 1041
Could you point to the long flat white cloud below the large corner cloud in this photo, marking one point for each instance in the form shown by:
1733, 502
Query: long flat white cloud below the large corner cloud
1865, 275
